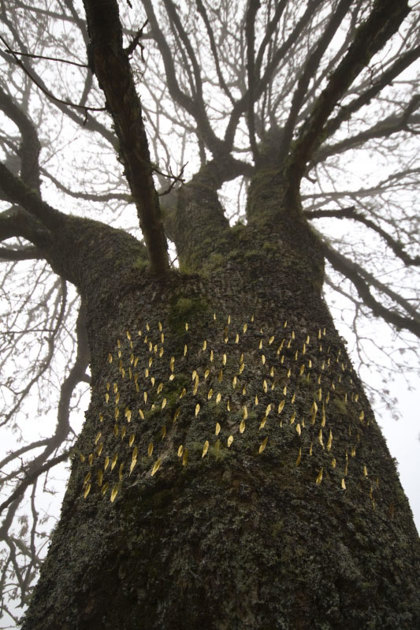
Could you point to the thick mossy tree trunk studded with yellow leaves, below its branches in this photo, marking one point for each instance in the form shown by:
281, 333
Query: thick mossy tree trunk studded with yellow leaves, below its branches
230, 473
